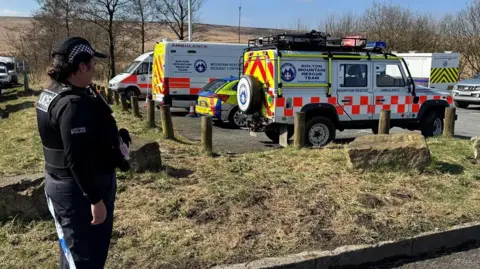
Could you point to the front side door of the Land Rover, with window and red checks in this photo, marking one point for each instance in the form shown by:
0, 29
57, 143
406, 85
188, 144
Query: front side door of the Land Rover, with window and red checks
390, 90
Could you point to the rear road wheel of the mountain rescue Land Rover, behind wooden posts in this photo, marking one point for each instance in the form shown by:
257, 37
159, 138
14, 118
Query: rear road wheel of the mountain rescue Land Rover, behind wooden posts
319, 131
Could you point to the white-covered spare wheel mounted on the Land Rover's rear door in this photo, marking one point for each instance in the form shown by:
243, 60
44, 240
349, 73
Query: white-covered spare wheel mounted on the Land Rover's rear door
249, 94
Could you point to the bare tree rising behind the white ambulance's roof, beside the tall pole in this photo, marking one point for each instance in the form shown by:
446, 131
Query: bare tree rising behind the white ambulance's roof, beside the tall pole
174, 13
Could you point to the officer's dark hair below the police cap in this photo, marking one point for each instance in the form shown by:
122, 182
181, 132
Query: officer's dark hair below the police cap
62, 69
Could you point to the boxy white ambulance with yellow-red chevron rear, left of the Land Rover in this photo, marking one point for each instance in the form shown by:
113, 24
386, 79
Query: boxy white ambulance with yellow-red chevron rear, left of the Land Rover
181, 69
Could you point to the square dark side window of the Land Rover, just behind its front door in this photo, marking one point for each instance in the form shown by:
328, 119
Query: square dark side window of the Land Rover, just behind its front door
353, 75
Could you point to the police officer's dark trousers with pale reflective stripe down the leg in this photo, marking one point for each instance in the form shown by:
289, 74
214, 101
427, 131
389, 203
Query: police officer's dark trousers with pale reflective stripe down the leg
82, 245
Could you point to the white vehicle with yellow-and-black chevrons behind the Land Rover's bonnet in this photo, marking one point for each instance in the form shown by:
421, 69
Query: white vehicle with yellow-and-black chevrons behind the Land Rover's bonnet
433, 70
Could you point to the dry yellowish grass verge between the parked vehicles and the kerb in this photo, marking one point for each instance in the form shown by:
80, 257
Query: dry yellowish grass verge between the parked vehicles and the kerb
203, 211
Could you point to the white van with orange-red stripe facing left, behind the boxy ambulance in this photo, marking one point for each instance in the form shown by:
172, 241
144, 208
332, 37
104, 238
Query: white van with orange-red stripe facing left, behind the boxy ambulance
136, 78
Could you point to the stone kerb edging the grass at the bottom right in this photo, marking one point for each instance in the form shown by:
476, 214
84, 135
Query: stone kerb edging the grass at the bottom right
361, 255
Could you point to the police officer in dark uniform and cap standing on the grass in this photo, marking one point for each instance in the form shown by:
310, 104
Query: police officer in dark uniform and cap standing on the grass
81, 146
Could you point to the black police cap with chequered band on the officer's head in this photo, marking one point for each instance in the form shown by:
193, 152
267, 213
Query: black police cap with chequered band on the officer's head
72, 46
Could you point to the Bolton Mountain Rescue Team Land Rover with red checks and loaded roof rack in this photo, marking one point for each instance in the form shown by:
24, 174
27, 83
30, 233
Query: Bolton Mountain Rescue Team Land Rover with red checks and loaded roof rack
338, 83
